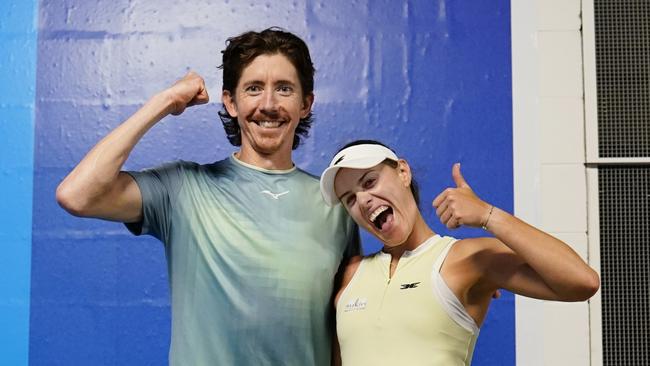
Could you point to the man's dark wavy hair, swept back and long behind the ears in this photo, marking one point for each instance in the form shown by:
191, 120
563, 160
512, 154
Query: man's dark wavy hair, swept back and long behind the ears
243, 49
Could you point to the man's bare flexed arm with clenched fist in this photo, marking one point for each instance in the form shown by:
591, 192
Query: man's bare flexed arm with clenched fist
96, 187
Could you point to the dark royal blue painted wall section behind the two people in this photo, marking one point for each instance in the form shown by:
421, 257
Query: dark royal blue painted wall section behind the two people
430, 79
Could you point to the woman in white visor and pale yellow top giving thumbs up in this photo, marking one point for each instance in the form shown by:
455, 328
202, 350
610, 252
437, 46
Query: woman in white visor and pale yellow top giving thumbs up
422, 298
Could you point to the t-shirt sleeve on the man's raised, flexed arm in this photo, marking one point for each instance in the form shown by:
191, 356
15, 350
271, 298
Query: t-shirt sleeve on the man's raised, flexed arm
159, 187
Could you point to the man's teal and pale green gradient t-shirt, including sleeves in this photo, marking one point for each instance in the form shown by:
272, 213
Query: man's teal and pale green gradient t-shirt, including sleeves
251, 256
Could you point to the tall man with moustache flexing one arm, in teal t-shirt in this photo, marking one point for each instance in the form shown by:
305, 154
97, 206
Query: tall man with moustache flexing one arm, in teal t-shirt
251, 248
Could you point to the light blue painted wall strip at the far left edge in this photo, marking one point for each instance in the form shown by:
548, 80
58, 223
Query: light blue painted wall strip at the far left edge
17, 79
